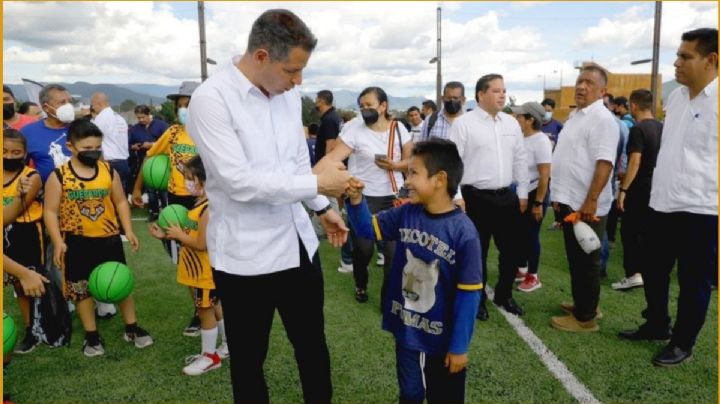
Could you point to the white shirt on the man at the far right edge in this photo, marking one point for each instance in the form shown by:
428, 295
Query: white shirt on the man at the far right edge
686, 174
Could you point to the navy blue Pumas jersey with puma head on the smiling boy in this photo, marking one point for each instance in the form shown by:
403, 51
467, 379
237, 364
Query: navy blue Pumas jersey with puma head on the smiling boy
436, 256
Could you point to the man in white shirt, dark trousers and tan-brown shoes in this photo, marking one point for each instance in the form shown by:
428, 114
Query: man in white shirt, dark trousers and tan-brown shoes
581, 169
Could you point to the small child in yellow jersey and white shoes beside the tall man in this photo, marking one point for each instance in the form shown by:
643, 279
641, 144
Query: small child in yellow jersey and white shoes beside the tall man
194, 270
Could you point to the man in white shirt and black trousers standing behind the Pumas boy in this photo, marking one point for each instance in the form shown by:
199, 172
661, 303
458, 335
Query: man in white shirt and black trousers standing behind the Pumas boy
490, 143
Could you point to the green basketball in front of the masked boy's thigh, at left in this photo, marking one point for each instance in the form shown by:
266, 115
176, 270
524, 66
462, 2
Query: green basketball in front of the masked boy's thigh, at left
111, 282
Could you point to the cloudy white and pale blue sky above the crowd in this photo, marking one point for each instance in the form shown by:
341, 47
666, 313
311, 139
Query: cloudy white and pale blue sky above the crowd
387, 44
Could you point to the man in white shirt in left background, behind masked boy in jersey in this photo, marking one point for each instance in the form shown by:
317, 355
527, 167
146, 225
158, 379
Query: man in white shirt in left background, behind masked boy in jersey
115, 136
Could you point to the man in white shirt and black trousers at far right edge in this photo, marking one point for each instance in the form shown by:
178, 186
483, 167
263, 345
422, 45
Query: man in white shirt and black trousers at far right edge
684, 203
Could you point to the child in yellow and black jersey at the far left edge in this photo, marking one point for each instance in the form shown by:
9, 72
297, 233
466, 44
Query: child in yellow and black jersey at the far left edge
24, 238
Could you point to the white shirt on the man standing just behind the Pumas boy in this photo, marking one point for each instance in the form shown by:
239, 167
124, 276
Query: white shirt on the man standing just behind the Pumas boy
492, 151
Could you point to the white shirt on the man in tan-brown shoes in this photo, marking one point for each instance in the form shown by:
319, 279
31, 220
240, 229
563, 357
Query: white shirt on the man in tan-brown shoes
589, 135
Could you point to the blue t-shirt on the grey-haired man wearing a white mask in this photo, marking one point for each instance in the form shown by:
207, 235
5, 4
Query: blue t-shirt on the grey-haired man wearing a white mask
46, 147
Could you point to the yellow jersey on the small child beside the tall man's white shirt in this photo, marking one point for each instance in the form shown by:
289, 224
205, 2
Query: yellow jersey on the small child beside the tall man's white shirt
194, 266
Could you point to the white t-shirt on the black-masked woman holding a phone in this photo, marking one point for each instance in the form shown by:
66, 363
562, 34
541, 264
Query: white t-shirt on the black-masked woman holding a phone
365, 144
